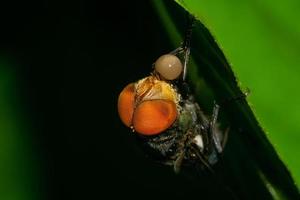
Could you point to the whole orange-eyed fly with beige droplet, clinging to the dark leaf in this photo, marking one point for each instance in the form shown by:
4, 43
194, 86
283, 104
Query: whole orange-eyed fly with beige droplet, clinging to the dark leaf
167, 121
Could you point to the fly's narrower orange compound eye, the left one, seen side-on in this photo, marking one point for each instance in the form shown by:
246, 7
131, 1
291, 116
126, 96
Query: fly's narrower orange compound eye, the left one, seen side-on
126, 104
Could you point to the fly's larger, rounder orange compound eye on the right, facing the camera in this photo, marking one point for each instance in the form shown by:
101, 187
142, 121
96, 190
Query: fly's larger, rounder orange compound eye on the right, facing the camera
154, 116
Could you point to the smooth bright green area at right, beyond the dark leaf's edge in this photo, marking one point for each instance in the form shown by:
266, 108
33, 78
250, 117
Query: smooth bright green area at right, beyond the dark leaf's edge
261, 40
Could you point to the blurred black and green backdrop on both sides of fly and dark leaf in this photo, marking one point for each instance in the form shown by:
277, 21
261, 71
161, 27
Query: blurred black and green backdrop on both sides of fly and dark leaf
62, 65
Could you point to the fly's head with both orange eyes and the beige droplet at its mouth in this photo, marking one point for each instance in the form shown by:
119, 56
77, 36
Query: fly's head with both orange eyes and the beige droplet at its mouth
151, 105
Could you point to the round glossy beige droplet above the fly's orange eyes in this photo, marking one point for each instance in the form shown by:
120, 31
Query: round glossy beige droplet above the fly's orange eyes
168, 66
